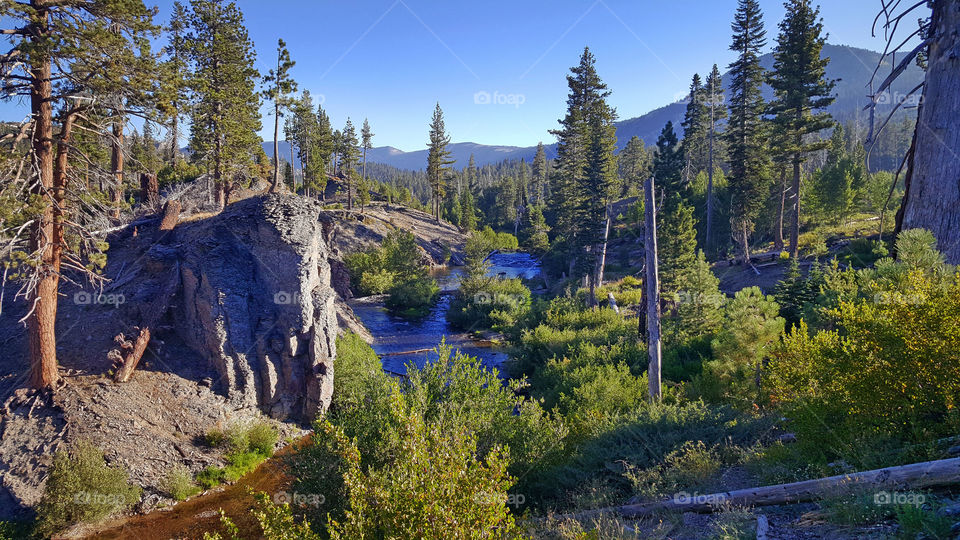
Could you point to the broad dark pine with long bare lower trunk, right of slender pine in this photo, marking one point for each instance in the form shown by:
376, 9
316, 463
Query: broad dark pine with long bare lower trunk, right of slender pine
801, 89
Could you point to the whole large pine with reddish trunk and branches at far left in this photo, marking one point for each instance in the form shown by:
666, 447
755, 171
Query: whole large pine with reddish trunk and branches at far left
59, 51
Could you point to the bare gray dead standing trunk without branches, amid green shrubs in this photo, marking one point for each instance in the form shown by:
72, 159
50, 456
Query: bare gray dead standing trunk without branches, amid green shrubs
652, 286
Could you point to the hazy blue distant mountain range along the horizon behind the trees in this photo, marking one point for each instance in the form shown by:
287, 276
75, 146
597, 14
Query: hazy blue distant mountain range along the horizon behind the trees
852, 67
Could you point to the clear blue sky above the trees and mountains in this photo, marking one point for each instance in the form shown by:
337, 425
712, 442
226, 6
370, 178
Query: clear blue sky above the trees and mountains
498, 68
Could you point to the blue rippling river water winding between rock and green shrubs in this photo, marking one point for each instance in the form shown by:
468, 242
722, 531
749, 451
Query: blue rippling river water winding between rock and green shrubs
399, 341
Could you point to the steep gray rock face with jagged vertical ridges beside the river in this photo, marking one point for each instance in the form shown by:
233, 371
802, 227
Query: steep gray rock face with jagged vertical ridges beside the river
256, 301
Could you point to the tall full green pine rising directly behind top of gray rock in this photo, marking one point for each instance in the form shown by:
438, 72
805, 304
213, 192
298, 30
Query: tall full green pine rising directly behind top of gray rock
225, 114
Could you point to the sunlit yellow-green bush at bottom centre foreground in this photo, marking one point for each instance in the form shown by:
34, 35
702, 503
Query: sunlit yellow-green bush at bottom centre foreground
436, 487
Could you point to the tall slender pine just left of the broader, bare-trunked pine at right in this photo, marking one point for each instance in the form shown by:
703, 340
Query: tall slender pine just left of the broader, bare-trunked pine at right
745, 130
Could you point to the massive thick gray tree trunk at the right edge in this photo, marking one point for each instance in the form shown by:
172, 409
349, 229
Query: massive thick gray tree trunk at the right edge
932, 198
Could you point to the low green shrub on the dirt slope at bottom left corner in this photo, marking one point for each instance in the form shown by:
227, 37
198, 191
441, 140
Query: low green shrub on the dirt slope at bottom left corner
82, 488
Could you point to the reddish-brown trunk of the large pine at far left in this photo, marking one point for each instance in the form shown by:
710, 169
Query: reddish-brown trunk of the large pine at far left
46, 233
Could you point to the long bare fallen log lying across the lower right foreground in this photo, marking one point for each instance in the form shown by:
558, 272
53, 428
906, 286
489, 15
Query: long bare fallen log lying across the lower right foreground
914, 476
